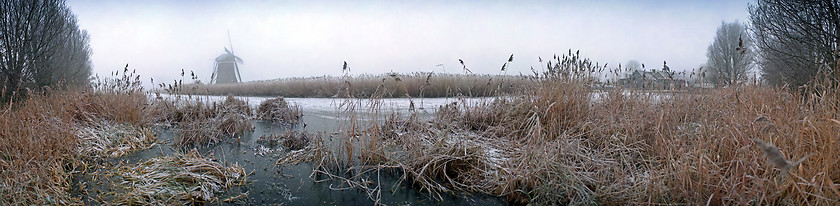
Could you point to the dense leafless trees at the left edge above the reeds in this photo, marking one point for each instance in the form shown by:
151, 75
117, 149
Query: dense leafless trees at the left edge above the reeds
40, 45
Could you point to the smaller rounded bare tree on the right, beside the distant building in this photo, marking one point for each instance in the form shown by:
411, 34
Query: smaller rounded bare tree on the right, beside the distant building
730, 56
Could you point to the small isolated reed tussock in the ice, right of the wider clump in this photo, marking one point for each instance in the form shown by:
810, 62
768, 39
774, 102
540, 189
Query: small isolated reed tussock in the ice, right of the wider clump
279, 111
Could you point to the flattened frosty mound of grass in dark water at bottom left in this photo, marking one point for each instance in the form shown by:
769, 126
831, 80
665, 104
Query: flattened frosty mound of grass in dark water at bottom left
178, 179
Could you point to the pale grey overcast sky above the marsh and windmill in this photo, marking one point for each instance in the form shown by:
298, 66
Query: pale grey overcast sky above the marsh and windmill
278, 39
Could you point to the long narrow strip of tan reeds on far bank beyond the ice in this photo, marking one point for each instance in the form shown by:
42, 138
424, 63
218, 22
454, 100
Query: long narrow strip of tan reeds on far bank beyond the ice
388, 85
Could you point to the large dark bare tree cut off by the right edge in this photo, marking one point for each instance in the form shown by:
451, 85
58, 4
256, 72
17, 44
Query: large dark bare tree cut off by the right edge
796, 38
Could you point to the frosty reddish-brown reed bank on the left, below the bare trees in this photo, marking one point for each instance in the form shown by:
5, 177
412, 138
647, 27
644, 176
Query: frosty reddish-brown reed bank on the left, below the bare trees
52, 133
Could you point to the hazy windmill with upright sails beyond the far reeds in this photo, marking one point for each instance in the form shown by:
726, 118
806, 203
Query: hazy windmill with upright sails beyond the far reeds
226, 67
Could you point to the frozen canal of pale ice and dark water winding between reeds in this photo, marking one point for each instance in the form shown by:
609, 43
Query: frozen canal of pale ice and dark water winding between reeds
269, 184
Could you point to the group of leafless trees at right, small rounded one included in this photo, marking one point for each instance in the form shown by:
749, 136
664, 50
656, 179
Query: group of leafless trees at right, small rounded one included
791, 42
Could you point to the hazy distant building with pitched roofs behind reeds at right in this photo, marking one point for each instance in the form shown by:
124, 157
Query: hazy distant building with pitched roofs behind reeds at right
653, 80
